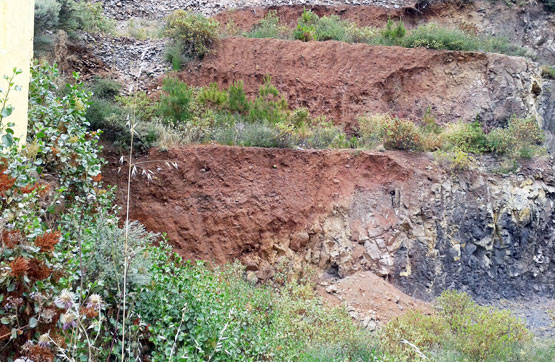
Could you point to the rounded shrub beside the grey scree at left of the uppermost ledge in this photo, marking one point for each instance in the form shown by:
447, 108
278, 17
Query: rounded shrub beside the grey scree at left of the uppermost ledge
194, 34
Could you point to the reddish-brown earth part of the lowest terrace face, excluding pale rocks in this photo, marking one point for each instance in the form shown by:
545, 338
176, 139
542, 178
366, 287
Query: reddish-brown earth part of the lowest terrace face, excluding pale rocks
223, 203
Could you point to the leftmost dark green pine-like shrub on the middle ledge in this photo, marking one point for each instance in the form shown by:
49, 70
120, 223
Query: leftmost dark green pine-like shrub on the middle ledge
175, 101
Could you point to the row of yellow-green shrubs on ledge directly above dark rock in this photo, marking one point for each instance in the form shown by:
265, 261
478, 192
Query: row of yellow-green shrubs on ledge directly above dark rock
454, 143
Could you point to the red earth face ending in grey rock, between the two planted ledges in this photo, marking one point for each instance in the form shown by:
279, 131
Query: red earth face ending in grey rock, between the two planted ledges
344, 81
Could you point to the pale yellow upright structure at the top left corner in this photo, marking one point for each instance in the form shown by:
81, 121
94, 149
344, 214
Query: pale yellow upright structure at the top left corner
16, 51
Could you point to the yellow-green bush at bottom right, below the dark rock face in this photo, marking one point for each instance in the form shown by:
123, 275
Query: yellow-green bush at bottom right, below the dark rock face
459, 326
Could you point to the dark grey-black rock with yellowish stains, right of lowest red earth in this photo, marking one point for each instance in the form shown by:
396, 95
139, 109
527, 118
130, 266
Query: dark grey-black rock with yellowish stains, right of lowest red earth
489, 236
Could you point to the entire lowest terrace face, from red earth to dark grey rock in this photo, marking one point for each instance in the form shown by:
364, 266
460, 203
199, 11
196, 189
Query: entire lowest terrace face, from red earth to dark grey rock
396, 214
